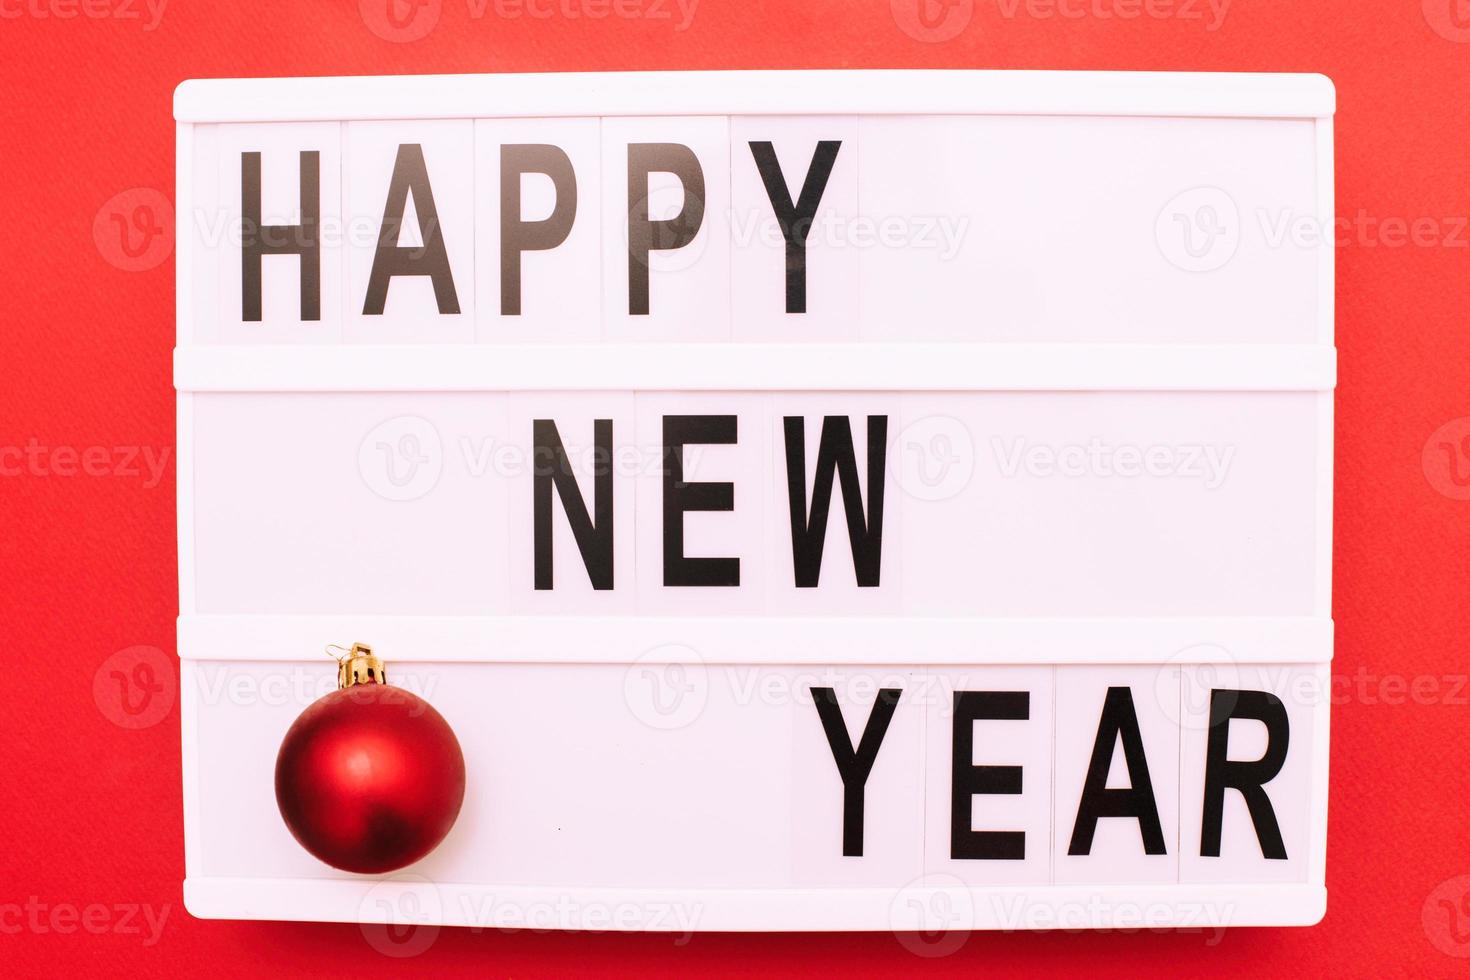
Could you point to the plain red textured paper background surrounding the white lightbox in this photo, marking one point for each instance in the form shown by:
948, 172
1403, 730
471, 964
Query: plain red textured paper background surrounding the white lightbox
90, 812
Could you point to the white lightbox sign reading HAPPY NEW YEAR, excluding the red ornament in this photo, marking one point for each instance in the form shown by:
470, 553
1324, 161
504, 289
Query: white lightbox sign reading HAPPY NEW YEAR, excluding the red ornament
1002, 392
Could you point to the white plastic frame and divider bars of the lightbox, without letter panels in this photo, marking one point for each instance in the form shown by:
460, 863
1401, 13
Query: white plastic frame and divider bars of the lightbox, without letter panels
821, 367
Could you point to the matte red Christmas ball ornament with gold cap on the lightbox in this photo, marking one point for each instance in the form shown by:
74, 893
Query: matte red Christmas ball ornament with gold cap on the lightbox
371, 778
